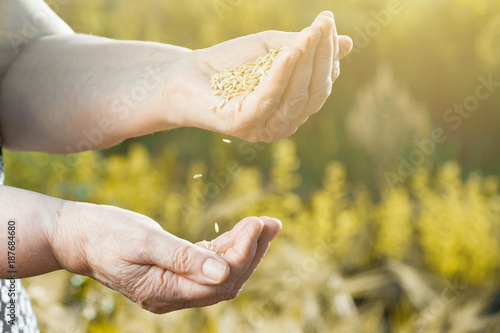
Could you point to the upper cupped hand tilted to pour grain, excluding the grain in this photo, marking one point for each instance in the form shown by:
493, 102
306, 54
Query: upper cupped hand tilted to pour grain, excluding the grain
296, 87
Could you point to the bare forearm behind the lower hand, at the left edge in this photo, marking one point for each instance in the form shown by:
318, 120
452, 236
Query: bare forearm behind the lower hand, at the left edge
24, 243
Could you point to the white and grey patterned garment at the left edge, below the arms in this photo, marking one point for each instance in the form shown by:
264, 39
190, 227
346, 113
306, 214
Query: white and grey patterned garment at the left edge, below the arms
15, 304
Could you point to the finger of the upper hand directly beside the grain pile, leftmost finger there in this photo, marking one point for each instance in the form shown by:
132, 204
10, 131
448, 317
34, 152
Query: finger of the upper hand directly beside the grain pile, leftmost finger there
268, 96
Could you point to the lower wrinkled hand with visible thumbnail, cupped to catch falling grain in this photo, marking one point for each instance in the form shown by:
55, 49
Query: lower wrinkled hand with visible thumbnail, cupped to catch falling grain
132, 254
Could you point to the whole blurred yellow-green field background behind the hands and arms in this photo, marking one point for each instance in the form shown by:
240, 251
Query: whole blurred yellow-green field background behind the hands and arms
384, 230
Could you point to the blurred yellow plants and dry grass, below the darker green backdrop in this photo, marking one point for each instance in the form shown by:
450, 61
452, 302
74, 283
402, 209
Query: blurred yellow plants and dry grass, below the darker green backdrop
423, 259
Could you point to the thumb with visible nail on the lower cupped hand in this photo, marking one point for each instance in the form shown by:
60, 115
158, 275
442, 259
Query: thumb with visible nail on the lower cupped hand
184, 258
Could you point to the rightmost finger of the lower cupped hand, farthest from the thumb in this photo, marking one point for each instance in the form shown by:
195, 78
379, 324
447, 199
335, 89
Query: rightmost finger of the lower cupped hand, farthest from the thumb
271, 228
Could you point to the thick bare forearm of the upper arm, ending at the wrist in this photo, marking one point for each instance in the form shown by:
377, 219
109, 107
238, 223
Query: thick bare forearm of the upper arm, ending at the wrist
72, 93
